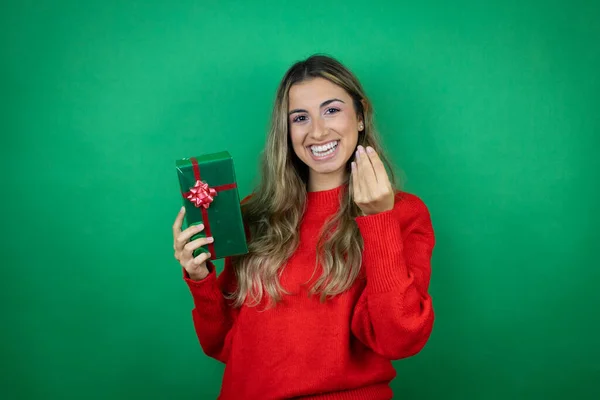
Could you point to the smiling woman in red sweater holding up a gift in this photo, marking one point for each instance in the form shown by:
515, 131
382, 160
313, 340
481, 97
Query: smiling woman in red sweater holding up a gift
335, 284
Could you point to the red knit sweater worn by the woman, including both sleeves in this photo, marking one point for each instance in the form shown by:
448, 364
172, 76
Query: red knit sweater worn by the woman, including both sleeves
341, 349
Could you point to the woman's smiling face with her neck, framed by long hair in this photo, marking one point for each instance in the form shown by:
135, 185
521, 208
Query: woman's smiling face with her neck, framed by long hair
323, 129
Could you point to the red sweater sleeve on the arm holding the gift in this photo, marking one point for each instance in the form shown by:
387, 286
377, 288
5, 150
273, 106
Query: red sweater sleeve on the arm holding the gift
212, 314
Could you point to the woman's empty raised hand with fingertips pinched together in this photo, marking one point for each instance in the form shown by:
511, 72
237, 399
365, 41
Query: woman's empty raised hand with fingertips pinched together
373, 192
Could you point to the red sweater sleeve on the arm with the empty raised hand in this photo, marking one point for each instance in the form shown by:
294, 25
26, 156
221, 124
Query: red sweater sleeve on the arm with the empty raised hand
394, 314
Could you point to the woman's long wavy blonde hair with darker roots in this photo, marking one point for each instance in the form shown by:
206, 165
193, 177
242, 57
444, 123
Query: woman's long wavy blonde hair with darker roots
274, 210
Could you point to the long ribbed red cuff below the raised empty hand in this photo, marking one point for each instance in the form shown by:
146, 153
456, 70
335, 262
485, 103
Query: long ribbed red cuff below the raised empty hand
383, 255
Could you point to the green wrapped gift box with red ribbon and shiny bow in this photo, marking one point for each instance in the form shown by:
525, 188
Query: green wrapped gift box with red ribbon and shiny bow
210, 196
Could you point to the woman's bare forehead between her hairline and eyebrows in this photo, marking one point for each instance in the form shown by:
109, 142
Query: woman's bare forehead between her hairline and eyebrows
315, 91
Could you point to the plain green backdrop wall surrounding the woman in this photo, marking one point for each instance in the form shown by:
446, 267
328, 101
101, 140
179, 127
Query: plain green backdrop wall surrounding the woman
490, 110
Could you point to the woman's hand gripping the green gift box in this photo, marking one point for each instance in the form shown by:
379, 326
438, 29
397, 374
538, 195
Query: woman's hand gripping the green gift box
184, 249
